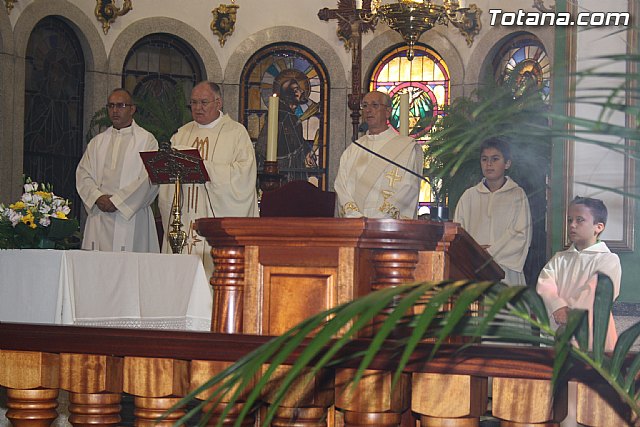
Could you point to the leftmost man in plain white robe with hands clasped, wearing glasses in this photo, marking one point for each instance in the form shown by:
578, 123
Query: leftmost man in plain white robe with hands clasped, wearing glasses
114, 186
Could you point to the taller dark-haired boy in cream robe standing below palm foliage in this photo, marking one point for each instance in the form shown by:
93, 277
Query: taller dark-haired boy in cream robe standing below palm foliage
496, 212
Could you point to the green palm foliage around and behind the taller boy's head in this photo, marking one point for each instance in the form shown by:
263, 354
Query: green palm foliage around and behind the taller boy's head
453, 153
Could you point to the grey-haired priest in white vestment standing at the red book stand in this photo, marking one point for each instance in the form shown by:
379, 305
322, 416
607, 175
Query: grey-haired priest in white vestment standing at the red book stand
230, 160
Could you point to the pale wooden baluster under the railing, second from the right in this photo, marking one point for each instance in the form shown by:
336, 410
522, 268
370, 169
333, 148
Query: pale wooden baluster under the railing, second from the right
528, 402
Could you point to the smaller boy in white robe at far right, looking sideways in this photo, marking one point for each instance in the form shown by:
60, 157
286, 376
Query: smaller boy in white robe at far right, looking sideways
569, 279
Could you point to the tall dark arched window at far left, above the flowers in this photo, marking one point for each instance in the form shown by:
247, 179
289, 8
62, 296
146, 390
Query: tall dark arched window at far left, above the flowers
54, 93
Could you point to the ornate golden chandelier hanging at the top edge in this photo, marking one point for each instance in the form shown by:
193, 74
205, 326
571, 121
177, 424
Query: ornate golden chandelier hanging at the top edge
411, 18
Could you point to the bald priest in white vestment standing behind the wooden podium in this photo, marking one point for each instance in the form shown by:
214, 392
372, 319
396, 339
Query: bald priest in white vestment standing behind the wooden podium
372, 186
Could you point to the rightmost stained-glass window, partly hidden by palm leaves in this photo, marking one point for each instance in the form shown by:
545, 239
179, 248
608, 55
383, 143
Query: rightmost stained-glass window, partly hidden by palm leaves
522, 63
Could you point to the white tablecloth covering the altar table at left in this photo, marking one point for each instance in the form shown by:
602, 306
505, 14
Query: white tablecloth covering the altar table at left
112, 289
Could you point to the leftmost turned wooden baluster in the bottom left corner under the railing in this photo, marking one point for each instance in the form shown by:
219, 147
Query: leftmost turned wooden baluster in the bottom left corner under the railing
32, 381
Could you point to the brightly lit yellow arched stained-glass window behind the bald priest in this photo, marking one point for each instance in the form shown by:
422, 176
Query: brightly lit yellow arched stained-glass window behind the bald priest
426, 79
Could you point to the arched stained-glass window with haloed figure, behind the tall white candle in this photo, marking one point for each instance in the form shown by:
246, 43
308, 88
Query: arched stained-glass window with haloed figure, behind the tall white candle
300, 80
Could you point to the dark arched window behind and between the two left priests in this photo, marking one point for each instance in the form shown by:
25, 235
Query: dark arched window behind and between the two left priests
160, 70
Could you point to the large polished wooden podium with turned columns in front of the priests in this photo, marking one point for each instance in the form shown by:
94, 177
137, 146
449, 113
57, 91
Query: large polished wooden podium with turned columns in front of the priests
272, 273
